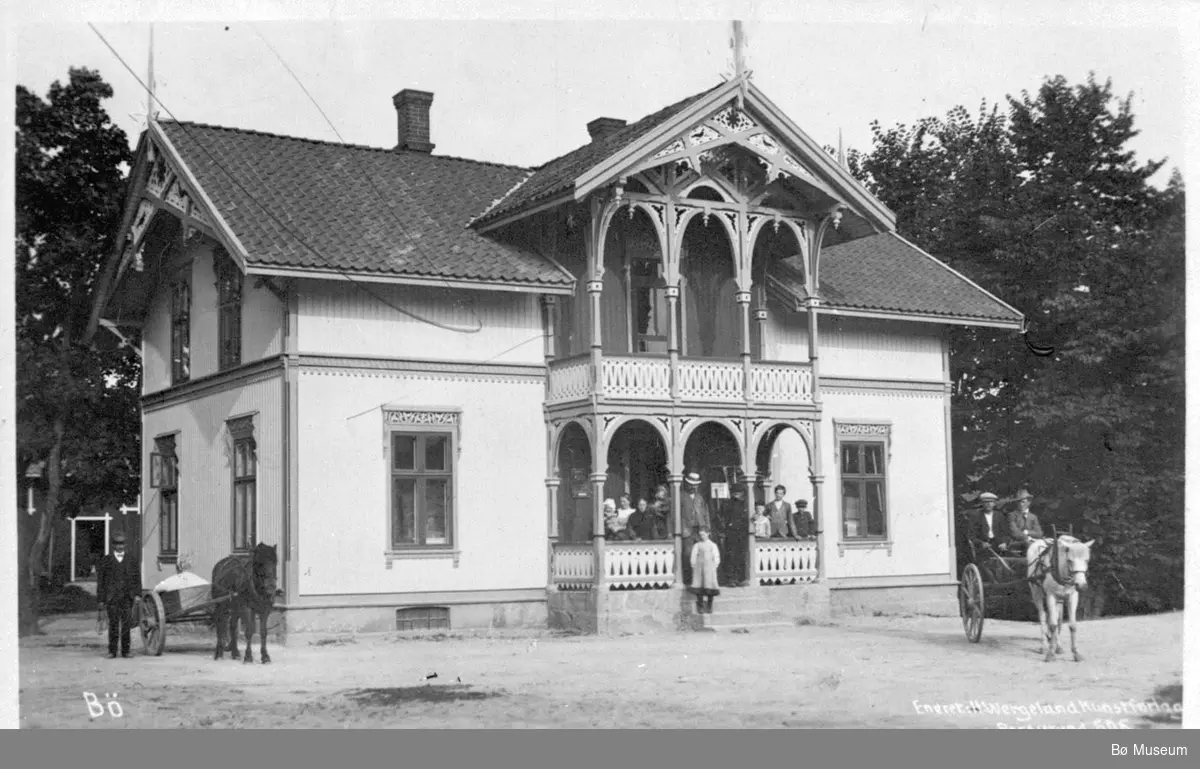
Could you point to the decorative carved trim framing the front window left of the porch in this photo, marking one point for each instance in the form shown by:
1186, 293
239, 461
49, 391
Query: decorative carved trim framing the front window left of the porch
423, 420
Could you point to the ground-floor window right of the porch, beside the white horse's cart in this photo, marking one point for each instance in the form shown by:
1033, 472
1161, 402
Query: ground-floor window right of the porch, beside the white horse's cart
863, 456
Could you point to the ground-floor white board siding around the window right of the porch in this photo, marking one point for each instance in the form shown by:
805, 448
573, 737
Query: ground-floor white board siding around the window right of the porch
916, 479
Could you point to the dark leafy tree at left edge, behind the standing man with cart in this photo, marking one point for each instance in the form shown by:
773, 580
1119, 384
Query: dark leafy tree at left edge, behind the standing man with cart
77, 408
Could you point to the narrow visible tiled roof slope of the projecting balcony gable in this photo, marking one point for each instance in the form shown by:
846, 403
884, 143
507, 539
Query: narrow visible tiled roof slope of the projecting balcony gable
560, 175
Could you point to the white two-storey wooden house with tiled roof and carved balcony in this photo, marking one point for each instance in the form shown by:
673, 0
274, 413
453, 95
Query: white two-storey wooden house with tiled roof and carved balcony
422, 375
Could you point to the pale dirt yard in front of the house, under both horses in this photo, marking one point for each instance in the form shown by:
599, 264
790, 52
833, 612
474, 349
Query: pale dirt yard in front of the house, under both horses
868, 672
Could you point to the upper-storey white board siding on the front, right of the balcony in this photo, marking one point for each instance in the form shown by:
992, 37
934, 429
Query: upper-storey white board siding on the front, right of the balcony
880, 350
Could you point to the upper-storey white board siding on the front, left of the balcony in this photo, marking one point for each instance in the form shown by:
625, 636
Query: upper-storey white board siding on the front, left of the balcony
340, 317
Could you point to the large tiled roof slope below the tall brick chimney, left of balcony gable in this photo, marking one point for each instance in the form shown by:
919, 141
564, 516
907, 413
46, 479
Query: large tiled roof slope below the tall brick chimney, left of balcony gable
305, 205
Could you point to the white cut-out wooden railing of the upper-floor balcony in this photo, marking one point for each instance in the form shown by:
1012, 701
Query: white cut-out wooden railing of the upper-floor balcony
650, 379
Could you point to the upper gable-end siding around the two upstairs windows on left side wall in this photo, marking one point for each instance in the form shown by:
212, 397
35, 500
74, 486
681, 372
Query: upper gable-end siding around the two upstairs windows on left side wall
262, 322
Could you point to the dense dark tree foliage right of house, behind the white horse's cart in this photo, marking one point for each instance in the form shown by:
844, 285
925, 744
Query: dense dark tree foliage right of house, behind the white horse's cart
1046, 207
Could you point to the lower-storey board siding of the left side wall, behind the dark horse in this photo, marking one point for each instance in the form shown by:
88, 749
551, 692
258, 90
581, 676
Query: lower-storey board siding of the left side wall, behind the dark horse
206, 476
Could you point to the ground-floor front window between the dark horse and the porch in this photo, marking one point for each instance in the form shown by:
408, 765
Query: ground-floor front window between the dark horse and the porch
423, 456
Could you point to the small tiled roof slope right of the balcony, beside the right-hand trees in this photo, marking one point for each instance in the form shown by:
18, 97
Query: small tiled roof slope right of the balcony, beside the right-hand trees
885, 273
